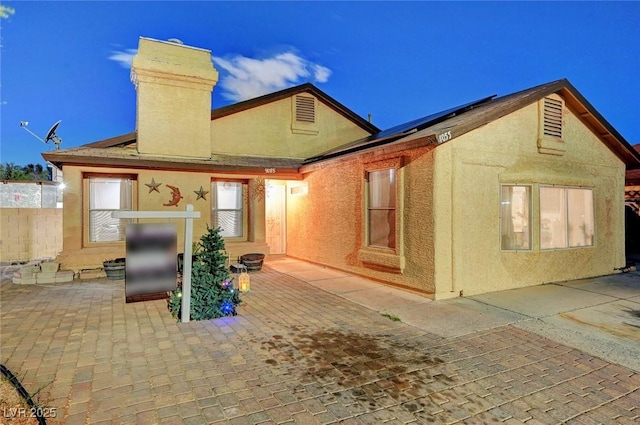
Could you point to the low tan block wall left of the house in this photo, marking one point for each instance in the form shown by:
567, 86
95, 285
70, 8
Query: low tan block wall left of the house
30, 233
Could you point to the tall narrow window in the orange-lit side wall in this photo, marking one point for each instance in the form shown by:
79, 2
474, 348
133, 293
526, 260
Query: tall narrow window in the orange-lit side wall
381, 208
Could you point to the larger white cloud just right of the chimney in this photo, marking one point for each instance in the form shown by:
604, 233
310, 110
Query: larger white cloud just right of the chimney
244, 78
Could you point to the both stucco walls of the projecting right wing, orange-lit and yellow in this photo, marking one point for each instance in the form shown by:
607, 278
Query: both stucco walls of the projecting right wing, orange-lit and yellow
452, 208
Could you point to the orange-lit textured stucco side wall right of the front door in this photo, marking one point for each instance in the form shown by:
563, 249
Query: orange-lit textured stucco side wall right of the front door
326, 226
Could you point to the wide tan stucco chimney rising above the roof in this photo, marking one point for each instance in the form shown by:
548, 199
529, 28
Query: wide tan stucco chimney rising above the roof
173, 106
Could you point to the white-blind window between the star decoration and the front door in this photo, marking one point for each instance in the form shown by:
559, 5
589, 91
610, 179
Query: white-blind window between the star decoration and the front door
228, 208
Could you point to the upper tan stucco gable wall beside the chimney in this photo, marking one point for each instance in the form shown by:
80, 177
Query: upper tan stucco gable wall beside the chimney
266, 131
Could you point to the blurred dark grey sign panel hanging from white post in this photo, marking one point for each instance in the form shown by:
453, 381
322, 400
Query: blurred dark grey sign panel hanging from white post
151, 260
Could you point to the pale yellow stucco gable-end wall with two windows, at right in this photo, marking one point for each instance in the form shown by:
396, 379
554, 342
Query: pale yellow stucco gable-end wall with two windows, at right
469, 258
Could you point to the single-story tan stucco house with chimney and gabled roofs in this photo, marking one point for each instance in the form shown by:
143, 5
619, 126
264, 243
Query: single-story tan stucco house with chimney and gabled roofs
498, 193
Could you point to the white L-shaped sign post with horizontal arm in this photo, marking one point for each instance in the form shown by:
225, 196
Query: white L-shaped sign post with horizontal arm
188, 215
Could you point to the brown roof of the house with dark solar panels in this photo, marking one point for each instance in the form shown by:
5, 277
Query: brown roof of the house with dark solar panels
120, 150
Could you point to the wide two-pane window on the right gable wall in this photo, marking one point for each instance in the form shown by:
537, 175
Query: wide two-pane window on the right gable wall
566, 217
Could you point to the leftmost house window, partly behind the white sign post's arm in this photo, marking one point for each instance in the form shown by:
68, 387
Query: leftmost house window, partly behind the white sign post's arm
108, 194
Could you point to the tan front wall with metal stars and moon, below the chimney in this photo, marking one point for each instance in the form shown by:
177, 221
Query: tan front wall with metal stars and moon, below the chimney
77, 253
